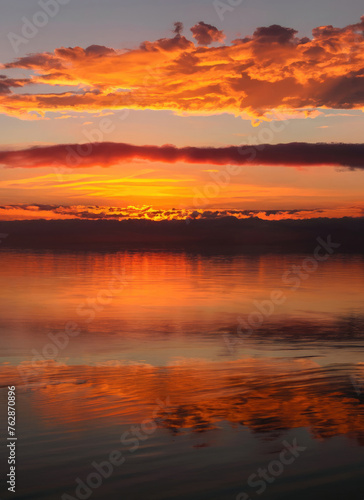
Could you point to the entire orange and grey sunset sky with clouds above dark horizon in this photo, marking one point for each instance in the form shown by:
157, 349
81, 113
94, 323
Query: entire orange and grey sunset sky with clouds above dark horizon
196, 76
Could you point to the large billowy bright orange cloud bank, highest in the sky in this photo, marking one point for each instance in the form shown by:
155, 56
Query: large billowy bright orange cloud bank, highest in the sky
272, 69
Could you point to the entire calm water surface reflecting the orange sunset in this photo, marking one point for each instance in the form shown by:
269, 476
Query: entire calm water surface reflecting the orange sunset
144, 354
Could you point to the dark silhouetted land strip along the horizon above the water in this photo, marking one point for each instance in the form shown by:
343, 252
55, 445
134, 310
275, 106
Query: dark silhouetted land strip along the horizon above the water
244, 235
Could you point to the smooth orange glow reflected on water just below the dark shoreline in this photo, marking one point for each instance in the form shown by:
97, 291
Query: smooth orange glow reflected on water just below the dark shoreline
52, 286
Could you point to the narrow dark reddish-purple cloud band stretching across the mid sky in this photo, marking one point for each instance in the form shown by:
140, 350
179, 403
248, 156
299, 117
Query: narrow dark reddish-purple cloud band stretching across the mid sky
106, 154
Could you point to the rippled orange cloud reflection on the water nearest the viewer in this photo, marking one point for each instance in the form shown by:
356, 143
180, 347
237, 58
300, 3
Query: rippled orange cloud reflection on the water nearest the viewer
264, 395
